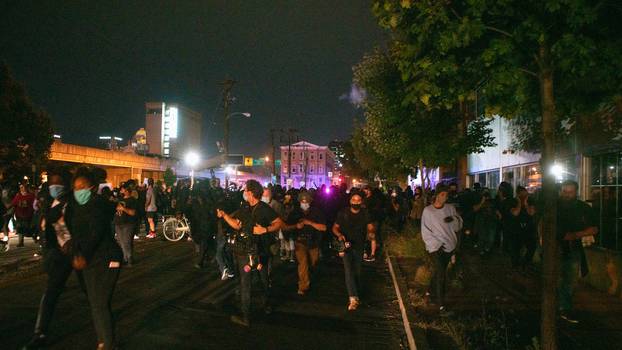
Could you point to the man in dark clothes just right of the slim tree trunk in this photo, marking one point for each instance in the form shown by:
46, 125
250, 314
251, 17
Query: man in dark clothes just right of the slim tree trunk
576, 223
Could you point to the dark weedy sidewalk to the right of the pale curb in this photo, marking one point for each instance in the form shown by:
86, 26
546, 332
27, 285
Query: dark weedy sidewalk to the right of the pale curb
493, 305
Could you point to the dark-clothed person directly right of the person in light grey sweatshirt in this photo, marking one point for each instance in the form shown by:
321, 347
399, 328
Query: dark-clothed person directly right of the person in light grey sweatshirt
485, 223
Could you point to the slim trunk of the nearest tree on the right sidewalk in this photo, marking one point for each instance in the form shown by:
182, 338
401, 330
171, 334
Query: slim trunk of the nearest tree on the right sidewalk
549, 225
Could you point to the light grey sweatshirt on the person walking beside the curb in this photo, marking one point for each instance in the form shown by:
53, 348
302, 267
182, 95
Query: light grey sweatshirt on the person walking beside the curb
437, 233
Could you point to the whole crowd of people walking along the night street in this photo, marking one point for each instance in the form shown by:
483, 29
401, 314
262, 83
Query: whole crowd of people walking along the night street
86, 227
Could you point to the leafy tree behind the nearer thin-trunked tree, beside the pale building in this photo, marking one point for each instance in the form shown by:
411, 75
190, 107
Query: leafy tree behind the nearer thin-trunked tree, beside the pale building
407, 133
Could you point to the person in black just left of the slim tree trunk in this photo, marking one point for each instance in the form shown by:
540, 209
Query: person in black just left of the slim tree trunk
525, 231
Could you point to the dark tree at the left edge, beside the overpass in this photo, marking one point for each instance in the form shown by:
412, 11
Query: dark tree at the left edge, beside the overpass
26, 132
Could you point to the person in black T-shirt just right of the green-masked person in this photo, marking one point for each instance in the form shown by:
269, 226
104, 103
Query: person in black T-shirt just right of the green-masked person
125, 222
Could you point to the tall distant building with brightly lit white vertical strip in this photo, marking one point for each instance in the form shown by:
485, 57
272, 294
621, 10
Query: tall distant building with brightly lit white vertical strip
172, 129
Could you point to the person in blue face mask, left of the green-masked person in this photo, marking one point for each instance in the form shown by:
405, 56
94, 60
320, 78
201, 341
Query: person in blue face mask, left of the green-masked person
56, 252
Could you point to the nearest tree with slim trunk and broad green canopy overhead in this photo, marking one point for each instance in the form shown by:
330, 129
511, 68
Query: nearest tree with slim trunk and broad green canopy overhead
544, 62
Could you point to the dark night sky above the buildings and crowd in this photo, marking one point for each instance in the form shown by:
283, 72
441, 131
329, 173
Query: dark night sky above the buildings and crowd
93, 64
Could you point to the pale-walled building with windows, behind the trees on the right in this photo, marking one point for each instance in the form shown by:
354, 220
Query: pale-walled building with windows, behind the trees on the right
593, 158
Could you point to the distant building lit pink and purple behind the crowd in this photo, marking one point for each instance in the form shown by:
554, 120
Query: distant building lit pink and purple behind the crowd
311, 165
